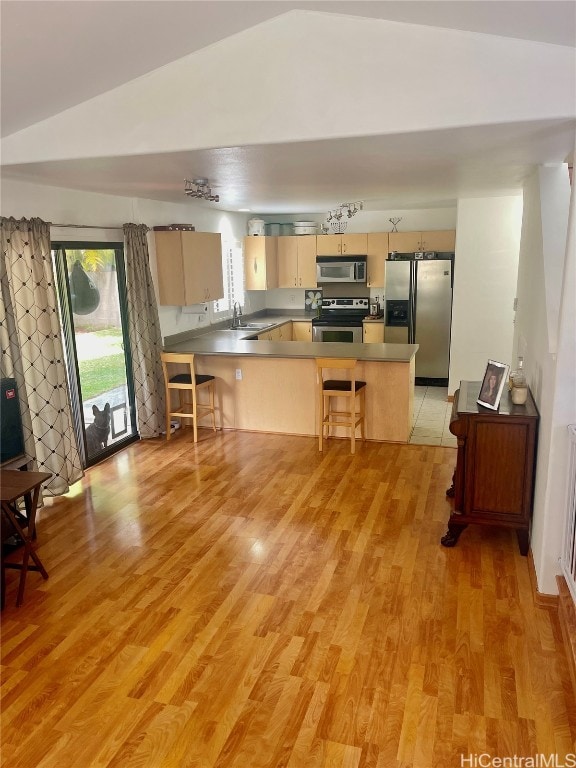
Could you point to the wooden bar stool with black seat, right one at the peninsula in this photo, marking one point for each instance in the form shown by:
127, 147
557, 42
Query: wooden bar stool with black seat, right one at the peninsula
350, 388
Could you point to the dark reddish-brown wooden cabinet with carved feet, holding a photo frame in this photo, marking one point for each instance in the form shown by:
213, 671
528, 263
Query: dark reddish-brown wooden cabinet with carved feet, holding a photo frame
493, 481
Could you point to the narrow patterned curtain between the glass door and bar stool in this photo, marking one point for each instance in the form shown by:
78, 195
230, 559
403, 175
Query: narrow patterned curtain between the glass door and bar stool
144, 333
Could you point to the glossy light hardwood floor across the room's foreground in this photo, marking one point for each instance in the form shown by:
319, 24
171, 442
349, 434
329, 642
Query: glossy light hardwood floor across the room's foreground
250, 602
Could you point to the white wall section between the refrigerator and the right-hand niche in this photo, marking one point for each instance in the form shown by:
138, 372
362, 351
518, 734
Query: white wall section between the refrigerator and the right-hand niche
485, 276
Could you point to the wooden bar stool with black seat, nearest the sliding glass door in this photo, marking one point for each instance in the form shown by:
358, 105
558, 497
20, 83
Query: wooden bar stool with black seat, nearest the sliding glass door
191, 382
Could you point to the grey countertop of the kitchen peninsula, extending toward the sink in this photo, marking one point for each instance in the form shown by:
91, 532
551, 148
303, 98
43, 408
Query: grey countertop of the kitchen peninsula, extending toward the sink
225, 342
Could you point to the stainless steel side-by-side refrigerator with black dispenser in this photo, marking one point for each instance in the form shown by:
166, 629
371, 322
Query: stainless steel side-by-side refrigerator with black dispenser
418, 295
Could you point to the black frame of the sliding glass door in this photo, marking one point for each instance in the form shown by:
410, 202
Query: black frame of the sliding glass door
59, 249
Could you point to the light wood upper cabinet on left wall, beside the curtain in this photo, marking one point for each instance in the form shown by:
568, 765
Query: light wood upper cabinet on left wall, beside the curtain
189, 267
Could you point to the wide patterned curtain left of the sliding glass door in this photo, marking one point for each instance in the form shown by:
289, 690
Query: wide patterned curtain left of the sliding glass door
32, 350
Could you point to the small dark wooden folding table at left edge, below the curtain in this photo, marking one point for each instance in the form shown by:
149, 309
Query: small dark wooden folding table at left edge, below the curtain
15, 485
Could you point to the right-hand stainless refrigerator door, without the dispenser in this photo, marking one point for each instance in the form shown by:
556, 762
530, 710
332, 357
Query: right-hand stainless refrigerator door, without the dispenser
433, 317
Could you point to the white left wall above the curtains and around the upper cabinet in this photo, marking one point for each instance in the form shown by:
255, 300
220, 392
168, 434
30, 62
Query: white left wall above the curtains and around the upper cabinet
109, 213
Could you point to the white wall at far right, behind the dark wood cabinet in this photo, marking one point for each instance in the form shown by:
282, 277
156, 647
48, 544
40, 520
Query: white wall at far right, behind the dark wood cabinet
545, 336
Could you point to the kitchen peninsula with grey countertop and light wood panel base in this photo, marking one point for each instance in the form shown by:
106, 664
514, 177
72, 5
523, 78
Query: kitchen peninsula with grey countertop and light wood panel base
270, 386
